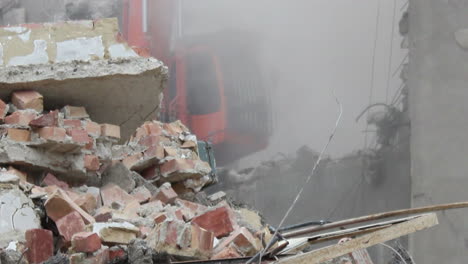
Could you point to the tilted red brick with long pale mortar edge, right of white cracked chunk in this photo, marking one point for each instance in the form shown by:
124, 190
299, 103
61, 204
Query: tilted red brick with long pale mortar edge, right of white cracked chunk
60, 204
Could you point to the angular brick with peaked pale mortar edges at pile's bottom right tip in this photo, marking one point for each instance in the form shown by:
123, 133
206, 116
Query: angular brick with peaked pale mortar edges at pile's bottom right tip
245, 242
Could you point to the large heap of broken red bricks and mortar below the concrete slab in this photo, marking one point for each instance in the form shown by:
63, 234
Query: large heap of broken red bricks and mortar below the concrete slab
71, 193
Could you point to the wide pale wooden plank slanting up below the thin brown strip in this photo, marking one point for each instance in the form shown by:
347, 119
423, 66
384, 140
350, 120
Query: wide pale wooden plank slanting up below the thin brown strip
365, 241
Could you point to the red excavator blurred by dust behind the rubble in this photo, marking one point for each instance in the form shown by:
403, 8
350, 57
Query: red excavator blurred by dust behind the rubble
215, 86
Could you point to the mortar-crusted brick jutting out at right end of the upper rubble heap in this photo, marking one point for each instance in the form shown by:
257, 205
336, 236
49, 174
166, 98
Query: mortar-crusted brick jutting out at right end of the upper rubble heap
181, 169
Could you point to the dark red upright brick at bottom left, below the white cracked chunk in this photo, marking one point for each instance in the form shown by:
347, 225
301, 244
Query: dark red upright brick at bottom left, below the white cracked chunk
40, 245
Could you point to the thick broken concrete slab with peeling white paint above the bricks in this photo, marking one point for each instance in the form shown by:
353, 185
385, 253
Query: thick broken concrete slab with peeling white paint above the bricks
83, 63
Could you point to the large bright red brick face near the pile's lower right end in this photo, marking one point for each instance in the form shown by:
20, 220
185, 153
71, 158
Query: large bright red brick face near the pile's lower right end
220, 221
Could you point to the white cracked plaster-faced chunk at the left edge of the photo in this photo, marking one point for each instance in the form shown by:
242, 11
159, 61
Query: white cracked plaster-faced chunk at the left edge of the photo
16, 211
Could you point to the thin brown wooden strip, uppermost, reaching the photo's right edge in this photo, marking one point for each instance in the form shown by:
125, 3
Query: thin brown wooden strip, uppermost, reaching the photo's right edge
373, 217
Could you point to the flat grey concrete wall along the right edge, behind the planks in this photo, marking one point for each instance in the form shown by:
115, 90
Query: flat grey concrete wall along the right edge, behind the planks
437, 97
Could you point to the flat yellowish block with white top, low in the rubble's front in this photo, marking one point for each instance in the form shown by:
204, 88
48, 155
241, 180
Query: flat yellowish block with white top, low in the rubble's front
116, 233
